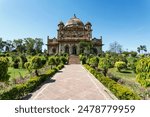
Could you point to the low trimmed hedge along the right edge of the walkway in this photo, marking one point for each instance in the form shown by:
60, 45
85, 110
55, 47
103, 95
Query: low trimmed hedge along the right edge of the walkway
121, 92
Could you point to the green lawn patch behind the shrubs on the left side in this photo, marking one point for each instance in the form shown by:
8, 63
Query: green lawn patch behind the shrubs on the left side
14, 73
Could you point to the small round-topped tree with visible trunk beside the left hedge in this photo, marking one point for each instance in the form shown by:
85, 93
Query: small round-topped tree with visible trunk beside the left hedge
36, 63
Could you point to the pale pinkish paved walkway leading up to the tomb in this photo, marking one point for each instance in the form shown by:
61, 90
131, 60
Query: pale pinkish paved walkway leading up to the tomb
72, 83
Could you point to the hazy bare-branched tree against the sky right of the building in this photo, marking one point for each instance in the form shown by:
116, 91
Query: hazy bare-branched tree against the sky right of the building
115, 47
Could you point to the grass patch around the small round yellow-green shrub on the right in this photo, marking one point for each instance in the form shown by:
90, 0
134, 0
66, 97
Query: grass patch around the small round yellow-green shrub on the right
125, 74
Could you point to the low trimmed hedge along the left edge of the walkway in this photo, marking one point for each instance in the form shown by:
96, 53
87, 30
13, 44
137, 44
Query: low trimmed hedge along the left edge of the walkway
21, 90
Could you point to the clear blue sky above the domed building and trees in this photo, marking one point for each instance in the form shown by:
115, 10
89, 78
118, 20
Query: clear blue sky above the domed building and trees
124, 21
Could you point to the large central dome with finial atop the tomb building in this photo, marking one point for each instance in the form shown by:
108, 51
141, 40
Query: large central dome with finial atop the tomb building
74, 22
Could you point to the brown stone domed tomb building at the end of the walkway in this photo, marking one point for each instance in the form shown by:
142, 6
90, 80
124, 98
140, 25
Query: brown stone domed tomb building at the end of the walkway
70, 35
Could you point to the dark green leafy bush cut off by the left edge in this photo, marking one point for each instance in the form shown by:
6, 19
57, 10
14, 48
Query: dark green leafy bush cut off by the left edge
3, 69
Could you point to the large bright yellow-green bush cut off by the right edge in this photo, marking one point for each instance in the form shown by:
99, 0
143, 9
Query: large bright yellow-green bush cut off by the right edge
143, 71
